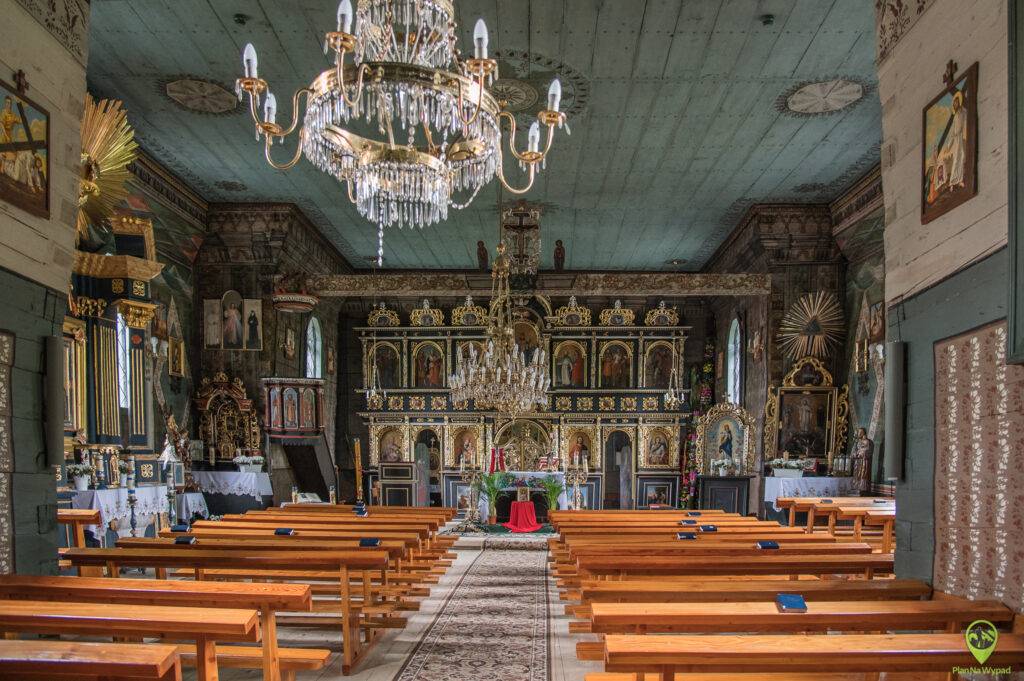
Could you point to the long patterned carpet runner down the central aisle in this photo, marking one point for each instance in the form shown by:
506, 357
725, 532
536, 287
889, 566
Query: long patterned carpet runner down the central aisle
494, 626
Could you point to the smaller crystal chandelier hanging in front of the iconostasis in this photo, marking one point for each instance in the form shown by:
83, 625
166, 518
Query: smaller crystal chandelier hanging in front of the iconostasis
501, 378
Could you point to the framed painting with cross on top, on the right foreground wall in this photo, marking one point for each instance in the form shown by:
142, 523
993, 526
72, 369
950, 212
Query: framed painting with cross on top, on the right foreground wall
950, 150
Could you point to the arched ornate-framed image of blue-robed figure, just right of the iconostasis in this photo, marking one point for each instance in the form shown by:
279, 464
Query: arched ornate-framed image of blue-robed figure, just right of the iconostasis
726, 441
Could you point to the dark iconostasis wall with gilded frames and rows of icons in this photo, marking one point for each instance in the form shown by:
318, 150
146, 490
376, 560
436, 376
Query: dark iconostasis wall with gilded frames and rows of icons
610, 372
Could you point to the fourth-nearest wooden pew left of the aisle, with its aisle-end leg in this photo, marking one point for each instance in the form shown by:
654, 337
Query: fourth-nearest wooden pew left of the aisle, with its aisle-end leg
337, 563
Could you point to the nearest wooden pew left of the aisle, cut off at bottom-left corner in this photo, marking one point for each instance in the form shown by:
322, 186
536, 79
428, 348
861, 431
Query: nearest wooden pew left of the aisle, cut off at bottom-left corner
57, 660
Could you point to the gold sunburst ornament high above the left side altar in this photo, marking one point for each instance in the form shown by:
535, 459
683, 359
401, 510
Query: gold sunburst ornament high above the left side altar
108, 147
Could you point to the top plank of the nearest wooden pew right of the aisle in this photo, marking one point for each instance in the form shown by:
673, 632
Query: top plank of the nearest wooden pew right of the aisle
799, 654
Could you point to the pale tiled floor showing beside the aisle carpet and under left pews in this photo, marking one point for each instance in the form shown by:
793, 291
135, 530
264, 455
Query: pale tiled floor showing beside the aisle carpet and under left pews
388, 657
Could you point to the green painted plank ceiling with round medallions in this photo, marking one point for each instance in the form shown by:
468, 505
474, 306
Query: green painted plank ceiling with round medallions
678, 115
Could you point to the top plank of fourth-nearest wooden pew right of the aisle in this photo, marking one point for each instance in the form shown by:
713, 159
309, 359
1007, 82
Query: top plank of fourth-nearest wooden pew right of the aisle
620, 567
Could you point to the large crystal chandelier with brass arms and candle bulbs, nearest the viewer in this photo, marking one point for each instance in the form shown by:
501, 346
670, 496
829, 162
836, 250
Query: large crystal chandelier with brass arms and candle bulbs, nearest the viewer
406, 76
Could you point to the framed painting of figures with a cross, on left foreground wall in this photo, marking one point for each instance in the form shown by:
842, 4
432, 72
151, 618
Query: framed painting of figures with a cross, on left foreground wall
25, 158
